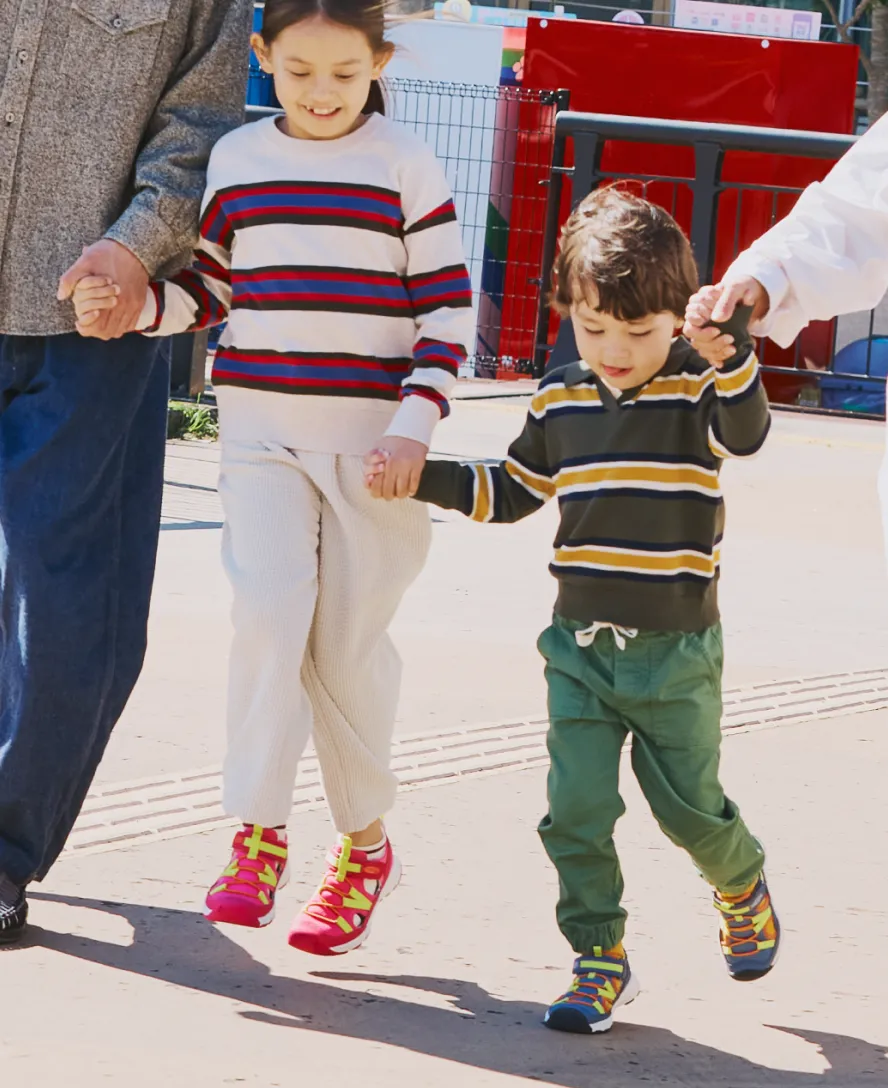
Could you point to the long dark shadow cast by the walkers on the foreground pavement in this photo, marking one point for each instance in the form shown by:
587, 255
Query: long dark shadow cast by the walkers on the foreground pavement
477, 1030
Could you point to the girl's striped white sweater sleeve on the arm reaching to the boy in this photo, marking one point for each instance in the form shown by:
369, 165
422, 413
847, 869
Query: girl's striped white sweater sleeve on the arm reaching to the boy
440, 291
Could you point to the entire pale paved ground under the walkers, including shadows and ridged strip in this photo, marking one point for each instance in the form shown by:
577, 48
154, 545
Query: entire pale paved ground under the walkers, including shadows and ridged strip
124, 983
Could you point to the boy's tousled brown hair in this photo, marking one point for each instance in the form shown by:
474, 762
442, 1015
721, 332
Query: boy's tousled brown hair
631, 251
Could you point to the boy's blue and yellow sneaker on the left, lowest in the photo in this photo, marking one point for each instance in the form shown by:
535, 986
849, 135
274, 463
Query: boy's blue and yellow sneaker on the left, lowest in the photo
602, 983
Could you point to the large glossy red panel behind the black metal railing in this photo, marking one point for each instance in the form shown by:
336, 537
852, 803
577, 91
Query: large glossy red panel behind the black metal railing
684, 76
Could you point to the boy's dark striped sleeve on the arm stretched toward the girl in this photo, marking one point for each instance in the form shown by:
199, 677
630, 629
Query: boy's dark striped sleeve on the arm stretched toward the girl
501, 493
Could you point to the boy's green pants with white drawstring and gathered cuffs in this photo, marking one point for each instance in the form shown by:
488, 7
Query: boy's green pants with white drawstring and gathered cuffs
665, 690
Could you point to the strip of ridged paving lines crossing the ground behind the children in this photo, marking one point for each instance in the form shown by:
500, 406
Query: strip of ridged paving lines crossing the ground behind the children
170, 807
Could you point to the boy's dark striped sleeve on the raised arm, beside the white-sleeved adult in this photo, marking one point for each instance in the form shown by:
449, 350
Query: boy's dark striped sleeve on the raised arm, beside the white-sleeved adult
741, 419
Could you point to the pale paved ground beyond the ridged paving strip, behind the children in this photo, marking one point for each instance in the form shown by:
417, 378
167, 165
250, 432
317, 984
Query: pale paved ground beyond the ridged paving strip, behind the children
805, 591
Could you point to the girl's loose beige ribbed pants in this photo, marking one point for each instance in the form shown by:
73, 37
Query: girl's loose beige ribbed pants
318, 568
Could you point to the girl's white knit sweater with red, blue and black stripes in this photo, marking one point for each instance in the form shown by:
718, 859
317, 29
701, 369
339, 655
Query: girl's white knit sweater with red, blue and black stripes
339, 266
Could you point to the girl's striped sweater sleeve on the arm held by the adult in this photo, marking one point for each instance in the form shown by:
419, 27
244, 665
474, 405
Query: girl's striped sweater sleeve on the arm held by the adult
199, 296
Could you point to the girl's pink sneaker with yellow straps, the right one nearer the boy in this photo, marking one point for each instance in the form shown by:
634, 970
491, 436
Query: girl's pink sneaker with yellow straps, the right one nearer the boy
338, 918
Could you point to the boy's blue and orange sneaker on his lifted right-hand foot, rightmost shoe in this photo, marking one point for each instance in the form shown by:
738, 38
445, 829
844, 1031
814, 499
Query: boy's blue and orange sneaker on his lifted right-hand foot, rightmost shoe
750, 933
